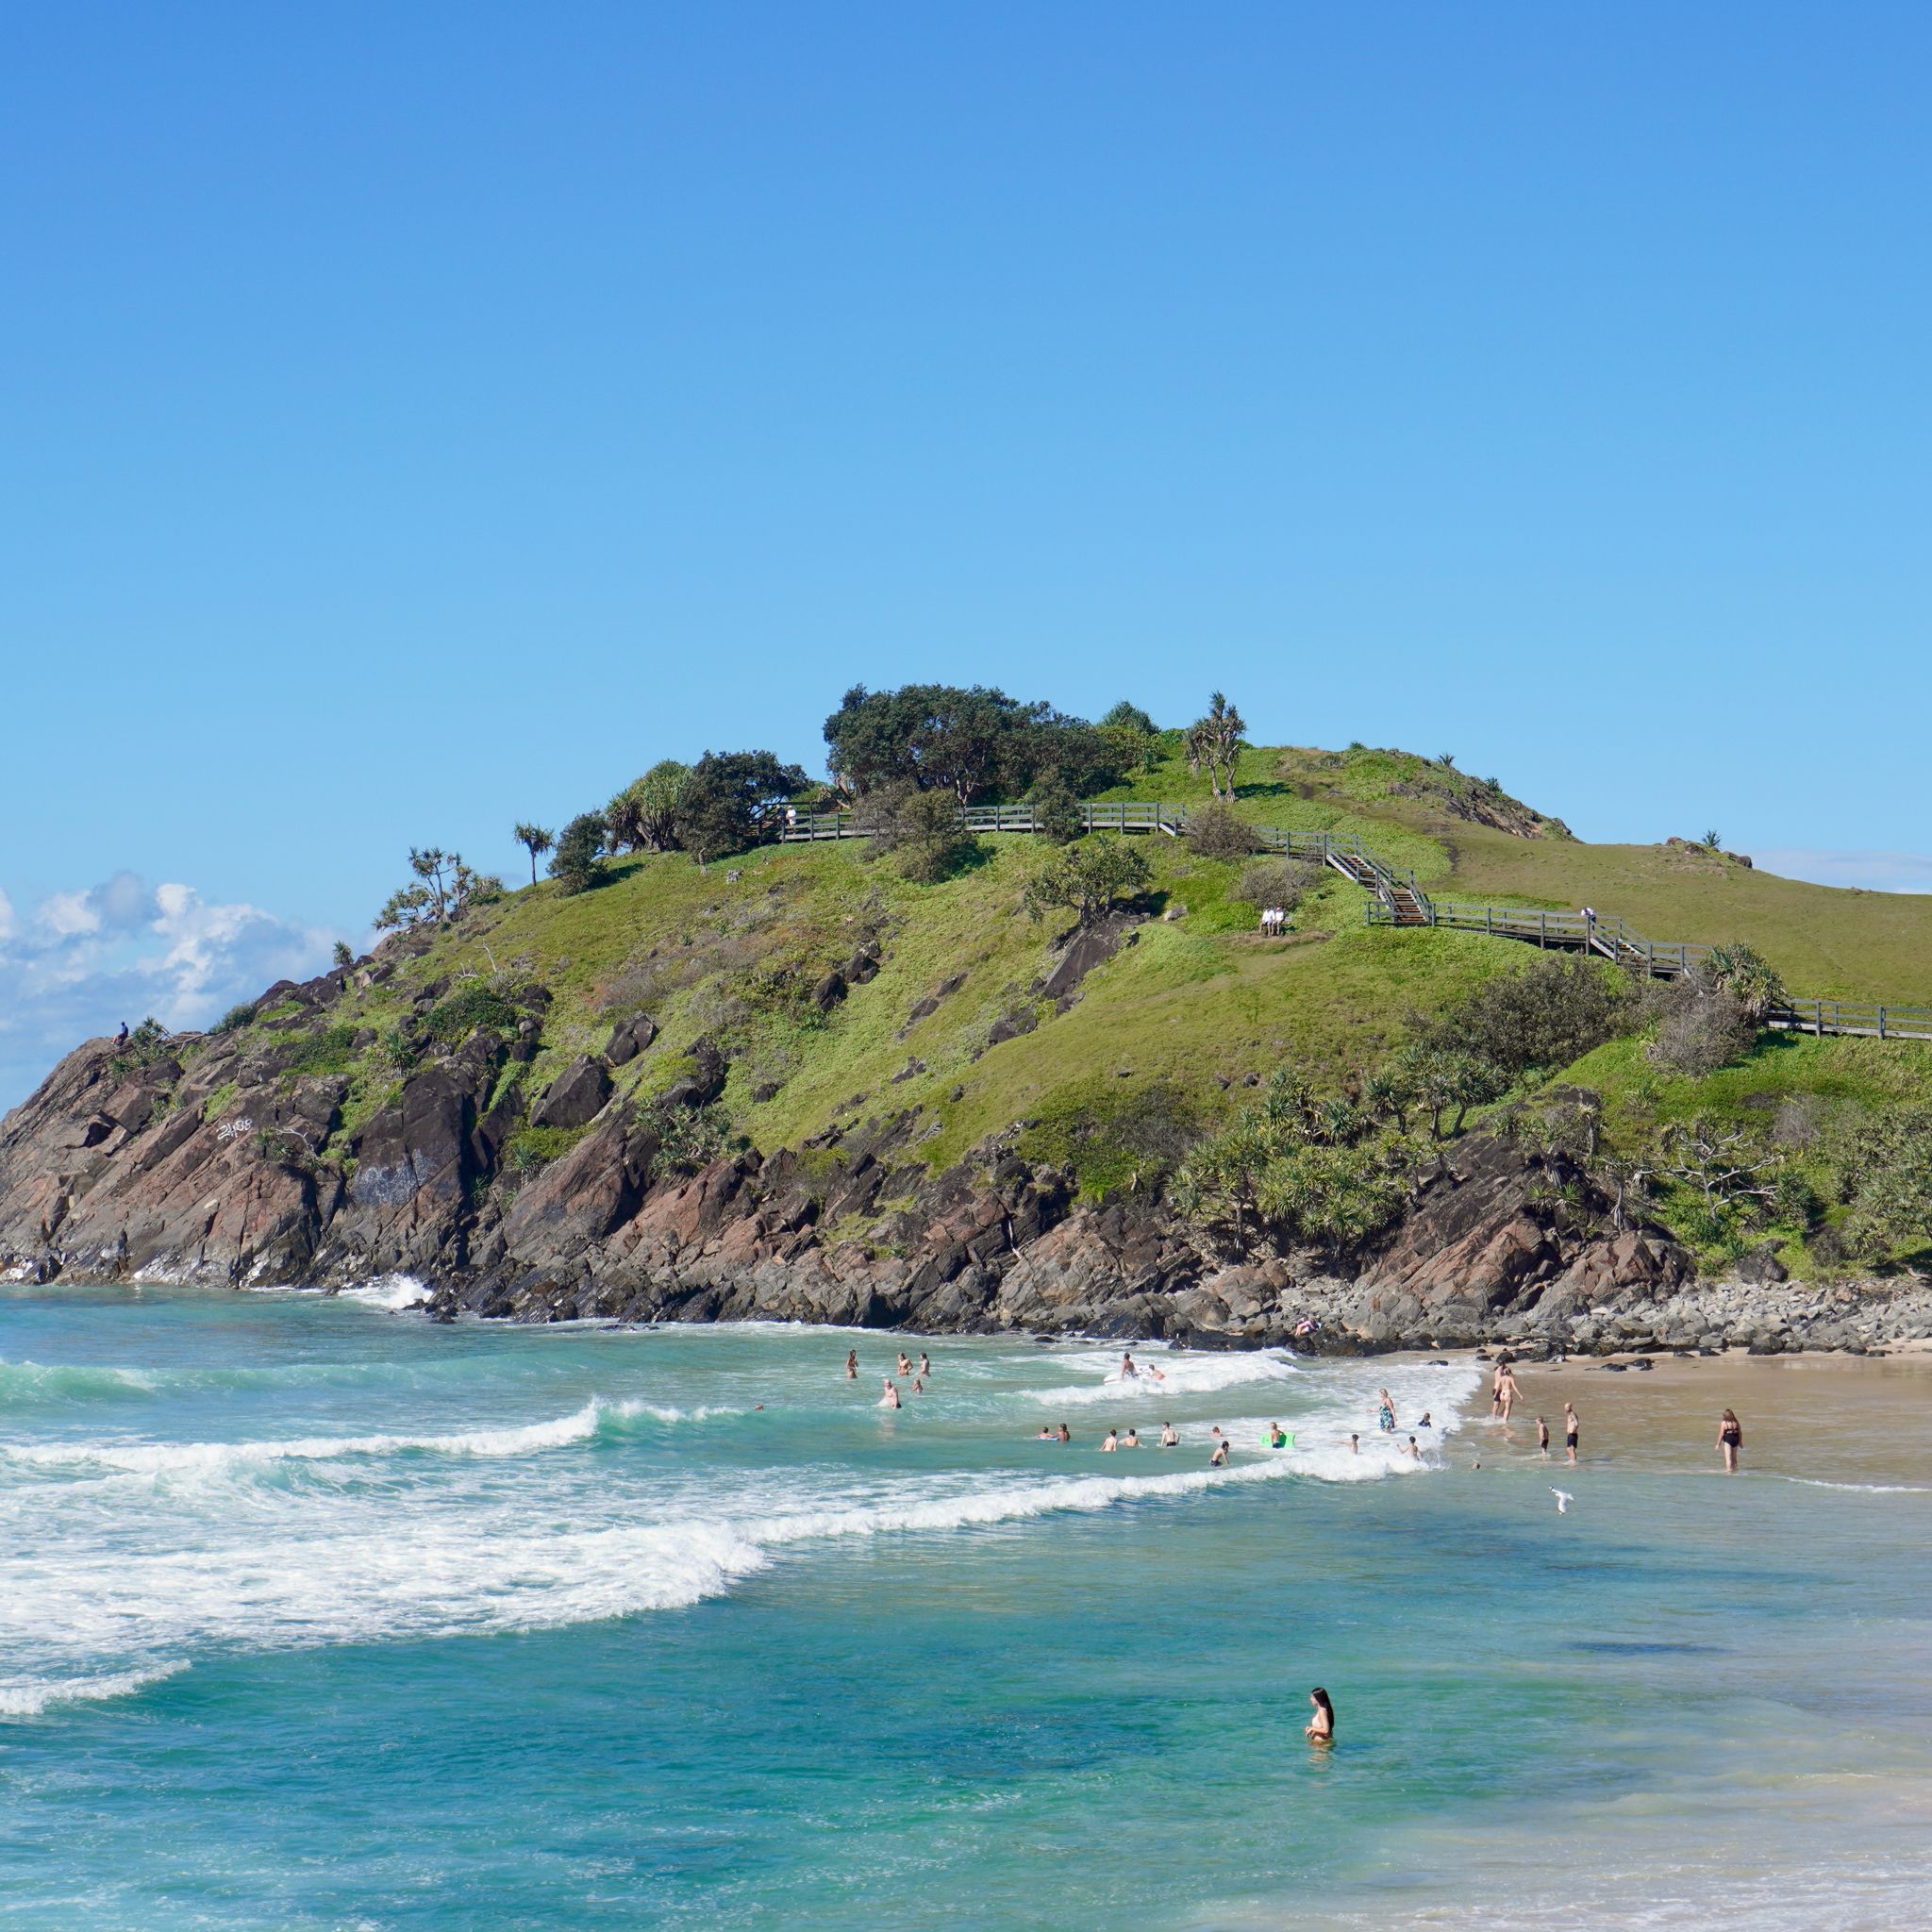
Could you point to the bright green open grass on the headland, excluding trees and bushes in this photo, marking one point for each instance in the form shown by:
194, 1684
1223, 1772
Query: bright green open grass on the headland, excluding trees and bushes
1168, 1037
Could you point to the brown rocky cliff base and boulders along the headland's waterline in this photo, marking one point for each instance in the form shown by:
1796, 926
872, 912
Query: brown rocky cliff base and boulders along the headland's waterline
235, 1170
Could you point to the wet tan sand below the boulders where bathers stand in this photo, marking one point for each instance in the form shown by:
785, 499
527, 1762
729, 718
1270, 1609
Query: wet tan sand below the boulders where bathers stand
1805, 1417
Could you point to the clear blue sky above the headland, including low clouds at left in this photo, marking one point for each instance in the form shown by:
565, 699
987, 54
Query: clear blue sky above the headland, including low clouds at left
422, 418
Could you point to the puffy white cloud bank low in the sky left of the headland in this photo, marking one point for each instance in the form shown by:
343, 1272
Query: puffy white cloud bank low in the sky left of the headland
121, 952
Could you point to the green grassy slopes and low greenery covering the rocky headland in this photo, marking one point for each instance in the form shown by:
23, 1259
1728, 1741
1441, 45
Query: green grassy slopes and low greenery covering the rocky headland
843, 990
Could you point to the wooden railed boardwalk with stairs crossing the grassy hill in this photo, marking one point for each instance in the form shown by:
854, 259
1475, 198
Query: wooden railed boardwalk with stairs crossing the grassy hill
1396, 899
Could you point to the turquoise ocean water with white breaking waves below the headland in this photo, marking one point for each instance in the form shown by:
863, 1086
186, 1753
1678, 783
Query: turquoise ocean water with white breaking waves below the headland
320, 1616
